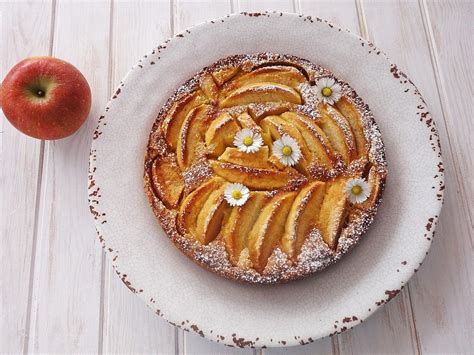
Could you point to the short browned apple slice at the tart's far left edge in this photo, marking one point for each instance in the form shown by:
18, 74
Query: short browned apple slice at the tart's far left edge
167, 180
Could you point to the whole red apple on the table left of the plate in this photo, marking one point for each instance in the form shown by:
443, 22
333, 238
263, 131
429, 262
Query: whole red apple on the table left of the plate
45, 97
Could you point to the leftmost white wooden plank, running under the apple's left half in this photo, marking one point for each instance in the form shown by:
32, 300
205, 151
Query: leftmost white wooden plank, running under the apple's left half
20, 174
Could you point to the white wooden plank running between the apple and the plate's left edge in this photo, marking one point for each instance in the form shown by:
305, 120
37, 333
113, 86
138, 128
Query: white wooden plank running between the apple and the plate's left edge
67, 278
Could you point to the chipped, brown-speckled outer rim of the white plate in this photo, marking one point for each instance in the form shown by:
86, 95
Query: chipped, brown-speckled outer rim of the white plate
234, 340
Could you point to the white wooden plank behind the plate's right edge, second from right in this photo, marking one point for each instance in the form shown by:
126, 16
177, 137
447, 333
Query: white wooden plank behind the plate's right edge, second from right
439, 291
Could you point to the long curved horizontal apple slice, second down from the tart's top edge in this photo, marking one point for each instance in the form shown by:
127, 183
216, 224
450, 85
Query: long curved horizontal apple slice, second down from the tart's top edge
261, 92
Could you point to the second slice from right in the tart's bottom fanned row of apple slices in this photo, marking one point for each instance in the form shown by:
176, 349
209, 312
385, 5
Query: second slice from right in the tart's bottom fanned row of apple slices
303, 216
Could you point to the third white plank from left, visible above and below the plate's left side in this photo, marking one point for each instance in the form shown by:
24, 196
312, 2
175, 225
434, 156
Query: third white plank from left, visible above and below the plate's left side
129, 326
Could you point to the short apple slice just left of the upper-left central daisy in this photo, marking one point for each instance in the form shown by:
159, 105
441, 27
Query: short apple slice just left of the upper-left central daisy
221, 134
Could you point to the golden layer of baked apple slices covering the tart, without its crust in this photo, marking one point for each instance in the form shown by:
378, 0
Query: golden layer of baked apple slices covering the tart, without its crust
286, 202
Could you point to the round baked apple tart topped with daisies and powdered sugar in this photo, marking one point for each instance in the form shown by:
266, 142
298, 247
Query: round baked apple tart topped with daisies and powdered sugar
265, 168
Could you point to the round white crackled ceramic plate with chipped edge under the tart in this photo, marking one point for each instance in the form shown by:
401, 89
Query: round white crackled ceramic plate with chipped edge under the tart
298, 312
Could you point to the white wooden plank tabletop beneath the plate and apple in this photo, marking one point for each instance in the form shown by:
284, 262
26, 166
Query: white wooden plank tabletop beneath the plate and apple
58, 293
